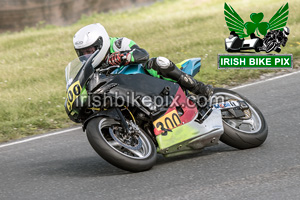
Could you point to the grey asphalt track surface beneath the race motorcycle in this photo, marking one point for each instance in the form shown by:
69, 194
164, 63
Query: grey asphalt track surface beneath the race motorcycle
62, 165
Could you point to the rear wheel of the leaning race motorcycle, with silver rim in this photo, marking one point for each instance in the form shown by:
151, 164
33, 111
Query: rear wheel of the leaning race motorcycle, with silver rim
245, 132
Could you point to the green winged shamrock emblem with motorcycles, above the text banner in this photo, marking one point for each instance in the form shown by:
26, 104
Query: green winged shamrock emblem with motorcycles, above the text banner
272, 40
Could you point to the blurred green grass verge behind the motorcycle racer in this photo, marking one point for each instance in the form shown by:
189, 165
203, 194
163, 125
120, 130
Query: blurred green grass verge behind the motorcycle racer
32, 62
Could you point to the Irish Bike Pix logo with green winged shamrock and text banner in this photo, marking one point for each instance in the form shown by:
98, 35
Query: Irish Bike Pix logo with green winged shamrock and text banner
265, 36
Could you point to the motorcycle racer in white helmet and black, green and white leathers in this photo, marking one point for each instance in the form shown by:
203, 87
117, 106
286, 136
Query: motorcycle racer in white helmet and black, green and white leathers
116, 51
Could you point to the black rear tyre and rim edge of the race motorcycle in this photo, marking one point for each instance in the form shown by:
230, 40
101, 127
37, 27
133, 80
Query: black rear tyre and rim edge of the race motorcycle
241, 139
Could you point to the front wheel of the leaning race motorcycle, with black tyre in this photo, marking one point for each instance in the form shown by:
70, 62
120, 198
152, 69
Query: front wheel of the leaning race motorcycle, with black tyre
133, 151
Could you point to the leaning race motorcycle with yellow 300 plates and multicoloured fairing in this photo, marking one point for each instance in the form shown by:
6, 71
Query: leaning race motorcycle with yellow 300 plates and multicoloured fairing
129, 116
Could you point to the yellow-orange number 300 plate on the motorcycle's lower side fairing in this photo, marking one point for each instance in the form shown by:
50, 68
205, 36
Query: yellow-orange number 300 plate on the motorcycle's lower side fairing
168, 121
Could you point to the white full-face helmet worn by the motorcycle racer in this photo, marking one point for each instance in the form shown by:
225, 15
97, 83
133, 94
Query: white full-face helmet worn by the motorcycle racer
93, 35
